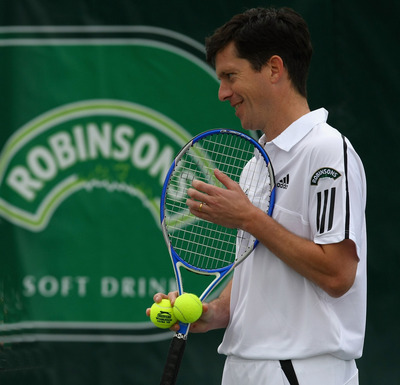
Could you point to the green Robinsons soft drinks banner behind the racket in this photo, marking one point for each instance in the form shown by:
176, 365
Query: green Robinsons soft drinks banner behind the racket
99, 121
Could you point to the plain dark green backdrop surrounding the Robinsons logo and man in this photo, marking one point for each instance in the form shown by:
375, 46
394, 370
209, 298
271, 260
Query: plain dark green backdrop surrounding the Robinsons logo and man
354, 74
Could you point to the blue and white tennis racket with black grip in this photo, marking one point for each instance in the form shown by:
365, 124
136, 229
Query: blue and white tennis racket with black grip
200, 246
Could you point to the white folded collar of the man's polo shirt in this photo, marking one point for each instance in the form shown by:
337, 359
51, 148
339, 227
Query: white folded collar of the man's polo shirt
298, 129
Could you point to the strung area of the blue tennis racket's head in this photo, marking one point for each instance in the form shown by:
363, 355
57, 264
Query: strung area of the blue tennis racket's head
200, 243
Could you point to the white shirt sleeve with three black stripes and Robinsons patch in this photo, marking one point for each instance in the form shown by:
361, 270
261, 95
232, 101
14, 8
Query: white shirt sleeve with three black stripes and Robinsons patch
337, 192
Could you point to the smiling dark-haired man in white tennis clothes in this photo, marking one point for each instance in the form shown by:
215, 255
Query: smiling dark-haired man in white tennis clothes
294, 311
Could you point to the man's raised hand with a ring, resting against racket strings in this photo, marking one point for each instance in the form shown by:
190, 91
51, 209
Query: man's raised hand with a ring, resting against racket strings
226, 207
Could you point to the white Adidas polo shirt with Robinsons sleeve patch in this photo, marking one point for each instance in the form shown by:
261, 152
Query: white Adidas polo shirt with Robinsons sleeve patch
321, 194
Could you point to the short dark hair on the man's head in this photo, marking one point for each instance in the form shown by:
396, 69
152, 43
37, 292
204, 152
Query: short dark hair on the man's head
260, 33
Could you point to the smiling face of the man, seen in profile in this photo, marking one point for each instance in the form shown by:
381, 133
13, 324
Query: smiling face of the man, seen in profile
247, 90
